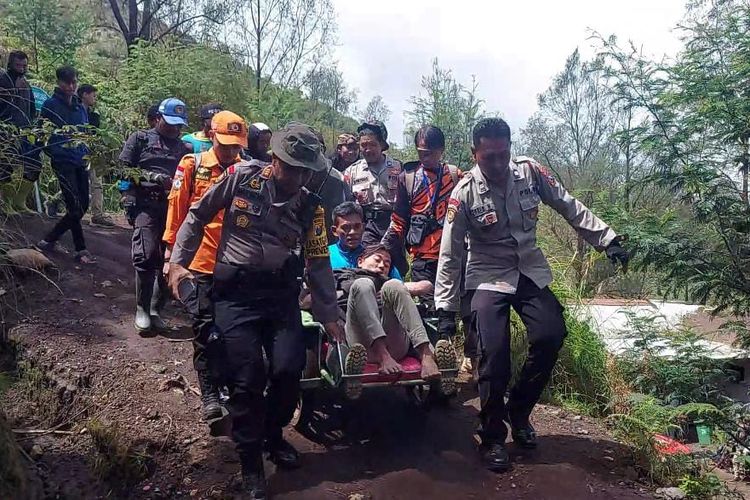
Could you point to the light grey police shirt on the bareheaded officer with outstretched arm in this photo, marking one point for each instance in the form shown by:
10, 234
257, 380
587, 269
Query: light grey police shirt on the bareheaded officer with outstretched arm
500, 227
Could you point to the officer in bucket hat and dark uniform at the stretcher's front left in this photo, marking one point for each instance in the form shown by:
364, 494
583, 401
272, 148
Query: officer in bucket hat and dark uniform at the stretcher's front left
272, 224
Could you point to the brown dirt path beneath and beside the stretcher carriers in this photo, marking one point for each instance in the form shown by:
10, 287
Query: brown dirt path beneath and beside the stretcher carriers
84, 339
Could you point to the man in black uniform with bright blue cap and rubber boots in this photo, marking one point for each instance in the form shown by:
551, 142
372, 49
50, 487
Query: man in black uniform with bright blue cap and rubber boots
155, 153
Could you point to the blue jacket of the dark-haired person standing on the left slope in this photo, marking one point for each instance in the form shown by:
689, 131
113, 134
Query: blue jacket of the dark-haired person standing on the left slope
60, 113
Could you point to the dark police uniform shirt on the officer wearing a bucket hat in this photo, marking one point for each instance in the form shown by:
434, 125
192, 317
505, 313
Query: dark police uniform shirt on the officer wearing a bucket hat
259, 233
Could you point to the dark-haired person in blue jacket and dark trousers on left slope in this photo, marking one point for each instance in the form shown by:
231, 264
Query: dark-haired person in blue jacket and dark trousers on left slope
68, 157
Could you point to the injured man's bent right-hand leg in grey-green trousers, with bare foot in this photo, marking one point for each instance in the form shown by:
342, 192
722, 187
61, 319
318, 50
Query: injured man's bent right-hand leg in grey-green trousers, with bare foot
403, 327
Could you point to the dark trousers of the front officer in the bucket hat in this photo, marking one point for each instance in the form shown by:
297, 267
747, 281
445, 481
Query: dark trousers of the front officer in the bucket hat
258, 312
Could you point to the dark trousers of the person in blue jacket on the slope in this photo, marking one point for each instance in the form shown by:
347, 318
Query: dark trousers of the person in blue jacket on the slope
74, 184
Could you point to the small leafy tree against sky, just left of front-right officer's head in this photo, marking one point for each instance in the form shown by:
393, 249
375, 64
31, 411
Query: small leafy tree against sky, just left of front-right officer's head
447, 104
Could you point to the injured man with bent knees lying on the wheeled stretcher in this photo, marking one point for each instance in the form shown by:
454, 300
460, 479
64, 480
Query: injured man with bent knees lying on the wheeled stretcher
381, 316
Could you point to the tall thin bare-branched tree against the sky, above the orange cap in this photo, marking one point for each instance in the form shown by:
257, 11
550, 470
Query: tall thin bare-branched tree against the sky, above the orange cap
280, 40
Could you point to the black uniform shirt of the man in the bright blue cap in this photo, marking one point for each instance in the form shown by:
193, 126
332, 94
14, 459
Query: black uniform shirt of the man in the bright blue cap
149, 150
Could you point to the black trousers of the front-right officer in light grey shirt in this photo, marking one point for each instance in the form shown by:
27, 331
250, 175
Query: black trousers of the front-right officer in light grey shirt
541, 312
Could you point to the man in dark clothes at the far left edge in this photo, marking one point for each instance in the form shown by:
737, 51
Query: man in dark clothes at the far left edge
17, 112
